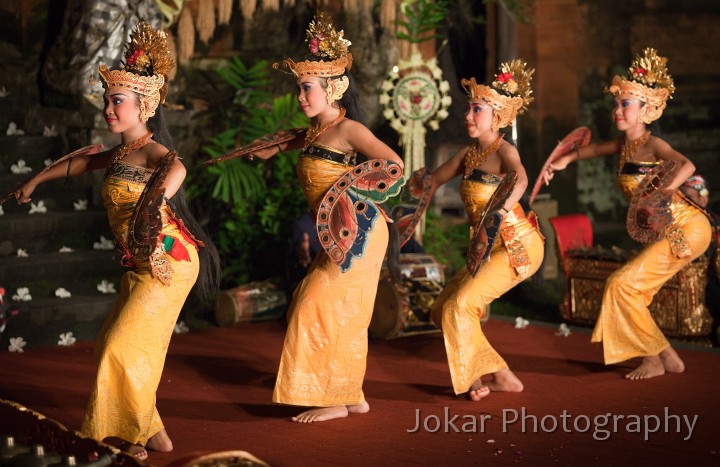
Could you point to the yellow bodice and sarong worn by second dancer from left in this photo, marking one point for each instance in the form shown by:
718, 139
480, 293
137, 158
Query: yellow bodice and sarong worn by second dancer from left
324, 355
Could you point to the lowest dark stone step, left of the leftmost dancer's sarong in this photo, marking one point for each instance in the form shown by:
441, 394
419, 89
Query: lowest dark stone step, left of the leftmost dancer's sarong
41, 321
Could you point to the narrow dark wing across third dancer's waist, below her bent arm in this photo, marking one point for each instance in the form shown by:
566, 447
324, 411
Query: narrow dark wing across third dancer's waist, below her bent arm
487, 229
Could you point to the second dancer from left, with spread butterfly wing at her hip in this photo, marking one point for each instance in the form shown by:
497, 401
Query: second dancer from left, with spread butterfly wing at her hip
324, 356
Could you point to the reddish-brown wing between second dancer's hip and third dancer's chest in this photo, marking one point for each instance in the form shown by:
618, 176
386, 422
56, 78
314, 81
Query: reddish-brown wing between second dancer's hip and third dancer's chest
415, 199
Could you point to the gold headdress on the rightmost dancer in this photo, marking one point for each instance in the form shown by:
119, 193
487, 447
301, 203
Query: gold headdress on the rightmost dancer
648, 82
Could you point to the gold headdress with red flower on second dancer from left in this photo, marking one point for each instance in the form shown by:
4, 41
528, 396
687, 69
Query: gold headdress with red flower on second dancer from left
331, 50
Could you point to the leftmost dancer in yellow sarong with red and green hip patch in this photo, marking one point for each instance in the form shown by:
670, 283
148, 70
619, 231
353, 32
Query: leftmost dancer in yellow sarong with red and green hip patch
159, 241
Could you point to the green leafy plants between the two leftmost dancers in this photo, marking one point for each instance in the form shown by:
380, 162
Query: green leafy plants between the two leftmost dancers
251, 203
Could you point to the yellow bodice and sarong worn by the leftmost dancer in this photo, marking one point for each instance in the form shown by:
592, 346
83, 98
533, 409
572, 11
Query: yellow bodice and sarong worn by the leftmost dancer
134, 339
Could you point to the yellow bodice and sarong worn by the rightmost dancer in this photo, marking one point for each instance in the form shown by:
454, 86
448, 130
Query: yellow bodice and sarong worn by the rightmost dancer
625, 326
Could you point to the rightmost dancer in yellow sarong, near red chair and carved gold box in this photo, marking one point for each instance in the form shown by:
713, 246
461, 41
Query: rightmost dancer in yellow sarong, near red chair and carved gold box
675, 230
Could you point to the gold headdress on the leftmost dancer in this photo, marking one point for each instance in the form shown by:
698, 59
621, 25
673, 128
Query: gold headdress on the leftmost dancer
148, 60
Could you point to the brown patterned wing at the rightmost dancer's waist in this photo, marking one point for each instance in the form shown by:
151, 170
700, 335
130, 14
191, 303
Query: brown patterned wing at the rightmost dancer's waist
649, 210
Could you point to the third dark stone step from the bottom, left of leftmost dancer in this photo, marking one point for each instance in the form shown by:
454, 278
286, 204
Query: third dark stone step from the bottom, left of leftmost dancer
37, 233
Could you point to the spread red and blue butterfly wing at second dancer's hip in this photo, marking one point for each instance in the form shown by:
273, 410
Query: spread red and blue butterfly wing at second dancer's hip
350, 207
